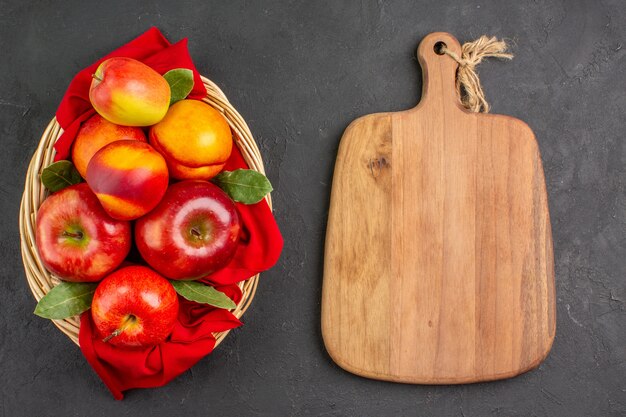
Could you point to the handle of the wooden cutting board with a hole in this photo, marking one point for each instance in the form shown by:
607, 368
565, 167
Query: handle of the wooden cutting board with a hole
439, 71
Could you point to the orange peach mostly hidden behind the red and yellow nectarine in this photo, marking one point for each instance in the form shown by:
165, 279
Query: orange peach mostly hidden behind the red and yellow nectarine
97, 132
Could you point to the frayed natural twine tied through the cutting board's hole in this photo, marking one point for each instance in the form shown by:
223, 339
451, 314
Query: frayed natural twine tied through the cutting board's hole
467, 81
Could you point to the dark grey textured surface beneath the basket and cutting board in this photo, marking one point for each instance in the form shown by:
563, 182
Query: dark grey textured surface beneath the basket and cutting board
299, 72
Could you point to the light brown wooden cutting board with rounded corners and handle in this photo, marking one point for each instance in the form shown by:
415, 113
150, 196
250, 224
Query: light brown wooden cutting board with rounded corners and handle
438, 263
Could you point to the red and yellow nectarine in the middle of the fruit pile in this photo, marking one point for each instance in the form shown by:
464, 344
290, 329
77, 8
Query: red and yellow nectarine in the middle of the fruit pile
129, 178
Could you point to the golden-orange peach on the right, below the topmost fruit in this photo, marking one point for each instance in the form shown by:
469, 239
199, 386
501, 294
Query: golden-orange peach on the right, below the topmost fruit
194, 138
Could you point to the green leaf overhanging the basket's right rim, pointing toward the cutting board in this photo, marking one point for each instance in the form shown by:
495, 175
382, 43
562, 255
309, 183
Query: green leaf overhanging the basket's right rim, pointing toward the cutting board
244, 185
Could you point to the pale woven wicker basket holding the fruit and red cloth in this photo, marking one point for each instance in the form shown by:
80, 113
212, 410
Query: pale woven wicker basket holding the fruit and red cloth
41, 281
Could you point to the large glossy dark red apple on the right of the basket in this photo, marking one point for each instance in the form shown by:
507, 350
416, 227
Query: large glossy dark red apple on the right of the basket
192, 232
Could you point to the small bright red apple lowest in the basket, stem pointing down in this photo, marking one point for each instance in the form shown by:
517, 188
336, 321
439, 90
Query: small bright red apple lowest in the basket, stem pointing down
134, 306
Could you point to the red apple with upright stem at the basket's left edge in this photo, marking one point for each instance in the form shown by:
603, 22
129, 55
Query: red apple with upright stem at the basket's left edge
76, 239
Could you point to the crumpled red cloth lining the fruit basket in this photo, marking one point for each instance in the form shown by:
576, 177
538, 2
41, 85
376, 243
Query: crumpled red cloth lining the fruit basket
259, 248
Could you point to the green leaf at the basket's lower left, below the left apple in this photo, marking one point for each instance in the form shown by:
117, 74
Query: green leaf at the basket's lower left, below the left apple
66, 300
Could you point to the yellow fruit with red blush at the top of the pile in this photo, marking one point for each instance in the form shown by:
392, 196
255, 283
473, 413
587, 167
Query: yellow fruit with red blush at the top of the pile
127, 92
